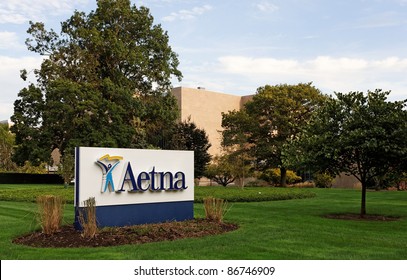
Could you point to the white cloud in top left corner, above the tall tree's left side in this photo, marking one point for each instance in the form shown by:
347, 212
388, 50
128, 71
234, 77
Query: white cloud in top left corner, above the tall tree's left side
21, 11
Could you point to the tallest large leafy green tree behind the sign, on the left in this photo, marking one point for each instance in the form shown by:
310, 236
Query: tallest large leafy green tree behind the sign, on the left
105, 81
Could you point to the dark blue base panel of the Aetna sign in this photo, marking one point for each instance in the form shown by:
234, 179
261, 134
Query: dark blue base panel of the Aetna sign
136, 214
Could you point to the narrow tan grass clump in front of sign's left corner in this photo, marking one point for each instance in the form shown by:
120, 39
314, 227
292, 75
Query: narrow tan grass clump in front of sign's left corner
87, 218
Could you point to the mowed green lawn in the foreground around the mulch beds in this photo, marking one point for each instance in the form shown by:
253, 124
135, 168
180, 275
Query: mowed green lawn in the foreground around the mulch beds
284, 229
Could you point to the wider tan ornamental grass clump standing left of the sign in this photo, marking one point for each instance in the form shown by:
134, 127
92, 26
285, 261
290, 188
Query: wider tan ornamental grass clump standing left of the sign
50, 213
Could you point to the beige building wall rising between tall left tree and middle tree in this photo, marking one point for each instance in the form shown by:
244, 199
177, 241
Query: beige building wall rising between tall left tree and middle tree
205, 110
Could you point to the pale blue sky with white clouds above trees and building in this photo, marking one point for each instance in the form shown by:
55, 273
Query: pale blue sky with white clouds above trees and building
236, 47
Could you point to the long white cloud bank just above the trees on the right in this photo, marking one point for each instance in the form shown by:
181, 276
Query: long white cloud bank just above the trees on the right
330, 74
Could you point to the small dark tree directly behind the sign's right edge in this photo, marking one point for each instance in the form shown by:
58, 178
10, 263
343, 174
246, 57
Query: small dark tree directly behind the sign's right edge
187, 136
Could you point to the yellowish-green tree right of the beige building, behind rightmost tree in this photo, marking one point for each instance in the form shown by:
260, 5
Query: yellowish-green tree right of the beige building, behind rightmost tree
274, 116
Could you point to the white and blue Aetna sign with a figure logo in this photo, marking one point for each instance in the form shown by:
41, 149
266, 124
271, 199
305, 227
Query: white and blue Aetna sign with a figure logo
133, 186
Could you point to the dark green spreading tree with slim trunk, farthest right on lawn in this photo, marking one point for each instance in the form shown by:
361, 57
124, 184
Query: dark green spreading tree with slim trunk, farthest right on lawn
363, 135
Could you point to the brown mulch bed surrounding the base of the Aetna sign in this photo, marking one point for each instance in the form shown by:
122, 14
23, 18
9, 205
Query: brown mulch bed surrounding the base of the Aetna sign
114, 236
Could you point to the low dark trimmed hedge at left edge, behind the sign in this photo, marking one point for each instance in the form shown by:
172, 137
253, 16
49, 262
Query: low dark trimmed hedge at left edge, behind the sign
26, 178
